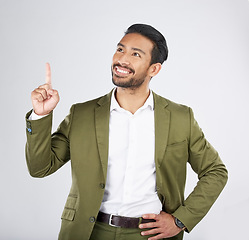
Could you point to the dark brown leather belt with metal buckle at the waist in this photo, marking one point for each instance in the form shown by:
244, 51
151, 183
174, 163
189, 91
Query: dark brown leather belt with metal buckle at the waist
120, 221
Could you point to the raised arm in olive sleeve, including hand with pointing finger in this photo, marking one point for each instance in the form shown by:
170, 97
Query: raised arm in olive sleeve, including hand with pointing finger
44, 154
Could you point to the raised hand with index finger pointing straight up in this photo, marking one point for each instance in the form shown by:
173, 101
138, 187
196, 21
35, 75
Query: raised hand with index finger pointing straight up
44, 98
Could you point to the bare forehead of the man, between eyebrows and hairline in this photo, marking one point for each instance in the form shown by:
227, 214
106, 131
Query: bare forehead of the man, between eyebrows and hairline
136, 40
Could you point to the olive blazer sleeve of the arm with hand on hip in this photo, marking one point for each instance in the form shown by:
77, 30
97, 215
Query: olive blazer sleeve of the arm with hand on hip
212, 175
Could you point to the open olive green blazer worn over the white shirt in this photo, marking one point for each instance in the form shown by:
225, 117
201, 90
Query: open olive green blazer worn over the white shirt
83, 138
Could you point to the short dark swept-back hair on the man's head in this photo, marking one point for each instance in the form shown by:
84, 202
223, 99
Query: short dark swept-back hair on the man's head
159, 52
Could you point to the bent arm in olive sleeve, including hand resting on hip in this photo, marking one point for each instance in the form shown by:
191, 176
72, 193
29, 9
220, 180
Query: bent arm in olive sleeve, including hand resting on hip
212, 175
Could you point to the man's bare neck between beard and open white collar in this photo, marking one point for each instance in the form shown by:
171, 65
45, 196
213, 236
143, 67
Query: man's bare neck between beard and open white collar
132, 99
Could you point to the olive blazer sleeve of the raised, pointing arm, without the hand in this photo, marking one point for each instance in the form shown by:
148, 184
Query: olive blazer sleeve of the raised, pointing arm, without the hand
46, 153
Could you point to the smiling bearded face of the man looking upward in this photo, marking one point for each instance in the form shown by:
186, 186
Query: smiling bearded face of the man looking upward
131, 61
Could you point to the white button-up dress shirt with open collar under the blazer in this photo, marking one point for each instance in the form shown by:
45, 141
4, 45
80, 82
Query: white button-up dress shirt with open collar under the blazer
131, 175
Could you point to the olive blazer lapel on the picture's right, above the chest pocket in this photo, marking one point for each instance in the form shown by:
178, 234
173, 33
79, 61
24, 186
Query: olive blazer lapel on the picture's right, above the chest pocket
162, 123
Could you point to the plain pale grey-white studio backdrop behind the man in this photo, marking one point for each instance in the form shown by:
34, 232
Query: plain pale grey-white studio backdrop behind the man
207, 69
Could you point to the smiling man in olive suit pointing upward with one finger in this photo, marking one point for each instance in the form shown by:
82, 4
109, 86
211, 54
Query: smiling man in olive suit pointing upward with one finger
128, 152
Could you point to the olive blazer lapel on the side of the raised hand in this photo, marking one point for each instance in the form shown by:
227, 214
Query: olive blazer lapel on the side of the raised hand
102, 116
